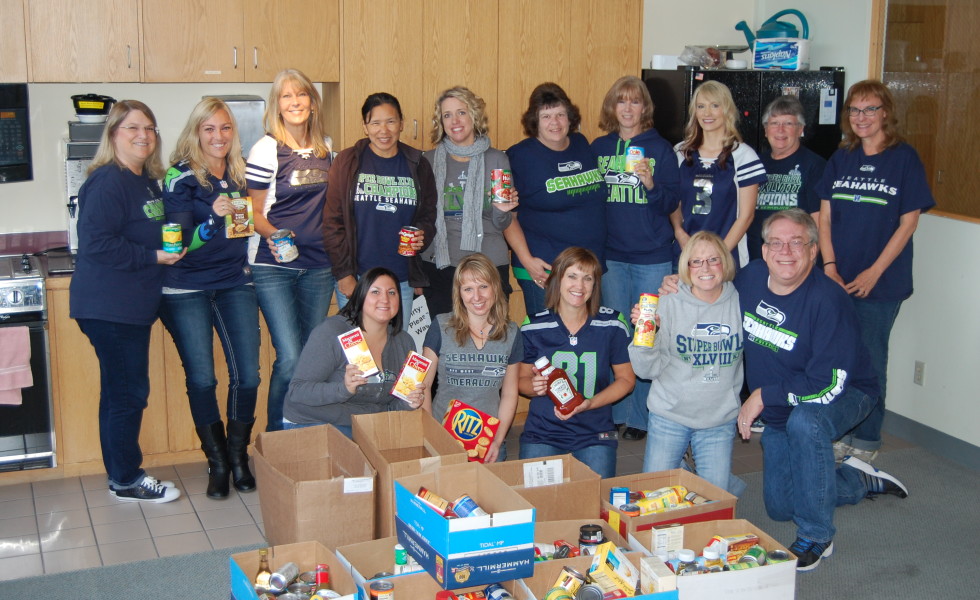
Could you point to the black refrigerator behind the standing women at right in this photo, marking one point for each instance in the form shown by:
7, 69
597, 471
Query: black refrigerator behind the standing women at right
821, 92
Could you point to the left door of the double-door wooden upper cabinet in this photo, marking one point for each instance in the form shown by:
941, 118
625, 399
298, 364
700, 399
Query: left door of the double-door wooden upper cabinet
194, 40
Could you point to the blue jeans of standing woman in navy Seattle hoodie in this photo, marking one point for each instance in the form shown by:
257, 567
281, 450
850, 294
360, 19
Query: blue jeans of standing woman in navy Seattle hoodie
622, 285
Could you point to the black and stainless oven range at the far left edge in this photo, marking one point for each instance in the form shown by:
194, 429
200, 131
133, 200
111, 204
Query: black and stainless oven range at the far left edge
27, 430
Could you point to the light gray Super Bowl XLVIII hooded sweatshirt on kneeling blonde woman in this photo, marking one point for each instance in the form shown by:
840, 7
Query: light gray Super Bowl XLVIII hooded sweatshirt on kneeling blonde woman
696, 360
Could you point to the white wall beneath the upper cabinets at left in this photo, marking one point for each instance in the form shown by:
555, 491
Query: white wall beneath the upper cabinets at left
39, 205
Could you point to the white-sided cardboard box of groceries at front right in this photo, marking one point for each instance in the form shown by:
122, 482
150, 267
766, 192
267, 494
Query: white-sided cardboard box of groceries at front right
768, 582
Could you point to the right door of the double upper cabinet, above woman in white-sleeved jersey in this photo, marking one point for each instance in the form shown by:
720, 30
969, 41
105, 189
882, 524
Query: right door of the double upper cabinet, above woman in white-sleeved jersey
299, 34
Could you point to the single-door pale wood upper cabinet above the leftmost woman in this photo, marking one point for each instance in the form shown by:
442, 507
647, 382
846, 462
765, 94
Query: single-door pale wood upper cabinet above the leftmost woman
96, 40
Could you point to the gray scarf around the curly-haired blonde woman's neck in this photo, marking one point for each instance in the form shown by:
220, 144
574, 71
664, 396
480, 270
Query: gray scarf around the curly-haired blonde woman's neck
473, 191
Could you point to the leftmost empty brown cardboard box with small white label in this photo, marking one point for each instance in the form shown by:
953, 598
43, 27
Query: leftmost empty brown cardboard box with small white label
314, 484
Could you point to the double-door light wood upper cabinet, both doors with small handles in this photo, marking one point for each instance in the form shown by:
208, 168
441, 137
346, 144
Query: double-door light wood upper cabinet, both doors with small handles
240, 40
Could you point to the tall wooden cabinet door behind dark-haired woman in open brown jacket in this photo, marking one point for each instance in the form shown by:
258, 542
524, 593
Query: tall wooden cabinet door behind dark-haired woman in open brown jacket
382, 52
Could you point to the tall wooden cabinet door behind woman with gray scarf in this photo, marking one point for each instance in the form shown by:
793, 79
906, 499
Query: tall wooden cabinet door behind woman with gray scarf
461, 49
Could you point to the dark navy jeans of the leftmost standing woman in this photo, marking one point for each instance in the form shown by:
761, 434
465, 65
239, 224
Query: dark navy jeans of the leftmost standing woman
123, 351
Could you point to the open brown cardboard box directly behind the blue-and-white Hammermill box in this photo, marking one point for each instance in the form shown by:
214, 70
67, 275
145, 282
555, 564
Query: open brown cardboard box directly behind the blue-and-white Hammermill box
398, 444
